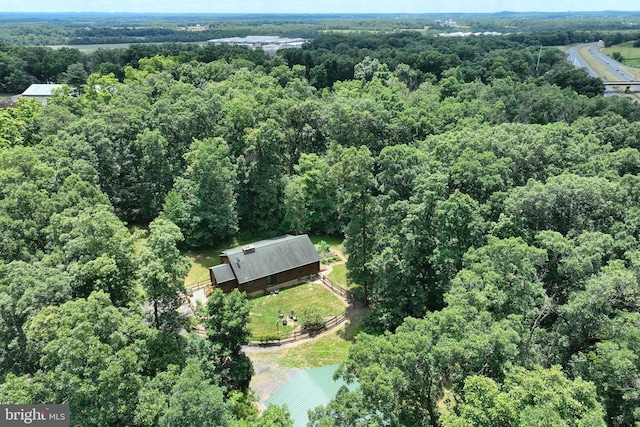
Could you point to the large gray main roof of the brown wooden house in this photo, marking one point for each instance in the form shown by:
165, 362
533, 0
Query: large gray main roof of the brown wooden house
271, 256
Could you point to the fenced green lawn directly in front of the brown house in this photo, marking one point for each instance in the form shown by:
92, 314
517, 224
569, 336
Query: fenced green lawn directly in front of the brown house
264, 309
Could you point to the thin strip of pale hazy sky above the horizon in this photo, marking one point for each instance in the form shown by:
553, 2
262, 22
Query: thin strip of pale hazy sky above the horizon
322, 6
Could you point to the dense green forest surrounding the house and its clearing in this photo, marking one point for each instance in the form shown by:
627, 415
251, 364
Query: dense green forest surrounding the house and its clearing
486, 190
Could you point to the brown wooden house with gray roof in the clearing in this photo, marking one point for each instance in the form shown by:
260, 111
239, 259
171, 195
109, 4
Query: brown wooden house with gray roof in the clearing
266, 264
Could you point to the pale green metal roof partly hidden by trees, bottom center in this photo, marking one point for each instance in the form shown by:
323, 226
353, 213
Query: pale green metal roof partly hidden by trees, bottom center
308, 390
